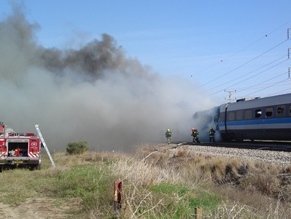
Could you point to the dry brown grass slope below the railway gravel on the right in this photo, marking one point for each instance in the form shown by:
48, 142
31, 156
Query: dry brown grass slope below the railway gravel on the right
260, 188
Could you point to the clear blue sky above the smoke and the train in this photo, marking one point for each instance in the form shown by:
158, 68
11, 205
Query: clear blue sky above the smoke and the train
222, 46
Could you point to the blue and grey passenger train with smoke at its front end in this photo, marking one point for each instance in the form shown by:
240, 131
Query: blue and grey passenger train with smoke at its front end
264, 119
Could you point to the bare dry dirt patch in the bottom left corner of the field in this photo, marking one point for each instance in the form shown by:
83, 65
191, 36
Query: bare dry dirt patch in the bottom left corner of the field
38, 208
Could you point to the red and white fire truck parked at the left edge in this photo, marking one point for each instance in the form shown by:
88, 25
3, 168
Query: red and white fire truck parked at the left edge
19, 149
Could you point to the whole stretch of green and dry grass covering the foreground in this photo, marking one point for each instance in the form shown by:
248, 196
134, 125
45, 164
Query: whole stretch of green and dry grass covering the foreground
157, 182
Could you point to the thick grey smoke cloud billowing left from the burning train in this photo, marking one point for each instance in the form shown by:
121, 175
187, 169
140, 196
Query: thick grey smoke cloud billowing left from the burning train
94, 93
